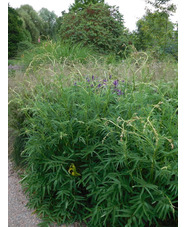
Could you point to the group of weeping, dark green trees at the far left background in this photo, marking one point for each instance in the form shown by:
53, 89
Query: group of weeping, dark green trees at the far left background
26, 25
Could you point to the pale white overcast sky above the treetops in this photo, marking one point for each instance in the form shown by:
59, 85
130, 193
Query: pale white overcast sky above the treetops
132, 10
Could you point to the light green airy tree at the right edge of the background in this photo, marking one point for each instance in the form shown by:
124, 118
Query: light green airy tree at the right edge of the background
155, 31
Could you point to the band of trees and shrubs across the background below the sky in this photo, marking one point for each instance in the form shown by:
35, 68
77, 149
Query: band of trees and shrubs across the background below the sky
98, 25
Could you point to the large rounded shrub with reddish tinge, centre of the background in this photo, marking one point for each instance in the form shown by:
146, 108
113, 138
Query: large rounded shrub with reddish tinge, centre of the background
98, 25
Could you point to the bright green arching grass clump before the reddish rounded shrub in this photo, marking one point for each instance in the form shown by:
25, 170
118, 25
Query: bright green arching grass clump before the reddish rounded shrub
54, 53
